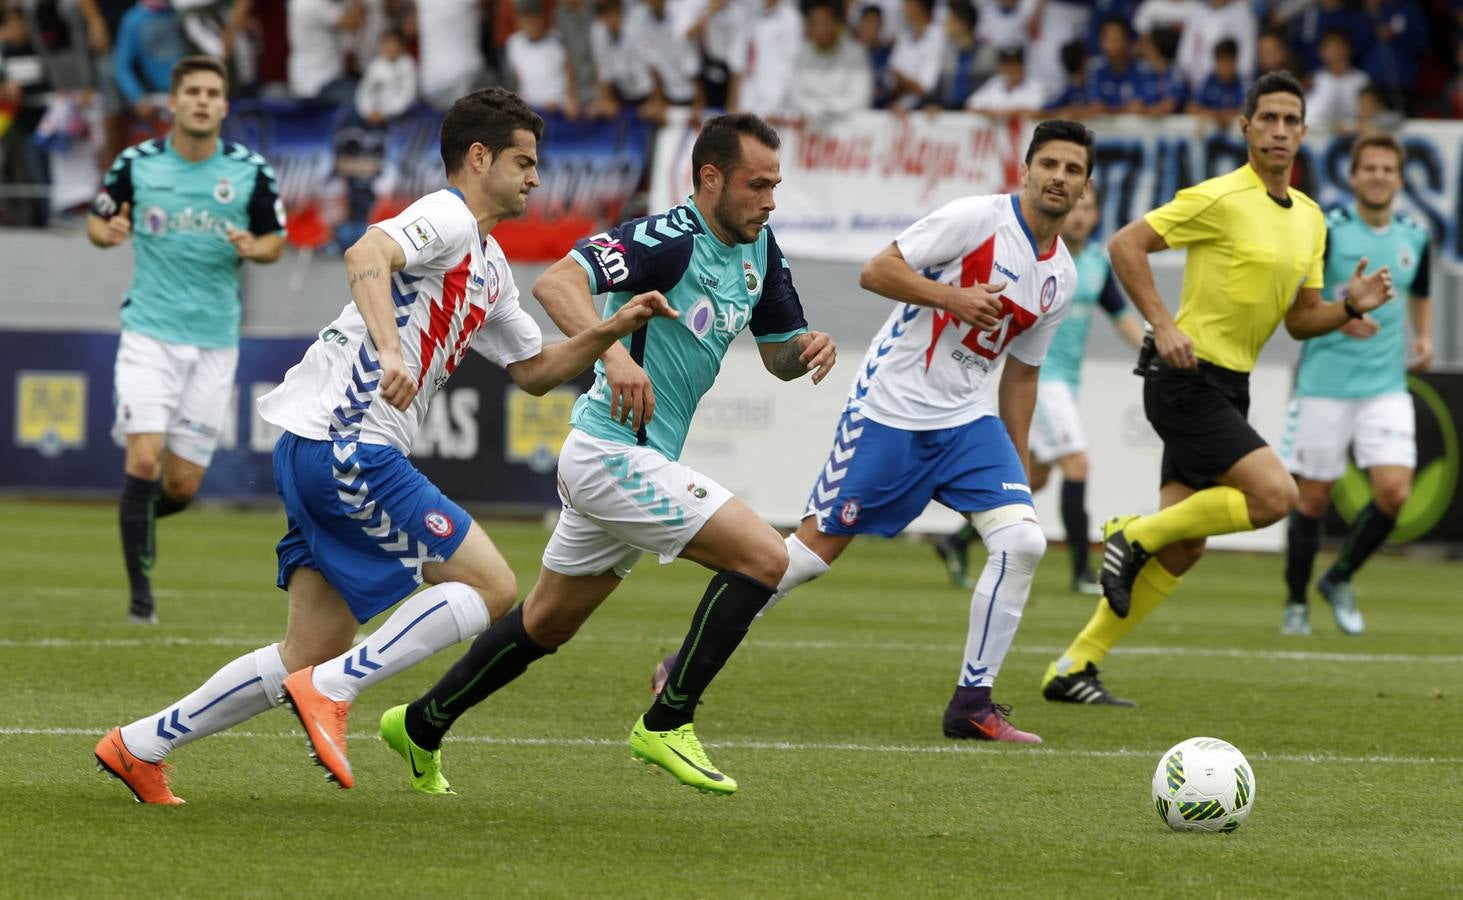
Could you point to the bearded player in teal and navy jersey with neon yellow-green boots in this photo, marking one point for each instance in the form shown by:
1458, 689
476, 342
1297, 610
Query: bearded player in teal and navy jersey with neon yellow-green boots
623, 487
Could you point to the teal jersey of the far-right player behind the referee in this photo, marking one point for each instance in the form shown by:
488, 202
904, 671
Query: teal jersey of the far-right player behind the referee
1335, 365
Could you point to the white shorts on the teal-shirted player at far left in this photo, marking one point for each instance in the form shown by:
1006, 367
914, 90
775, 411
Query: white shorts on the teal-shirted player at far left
173, 390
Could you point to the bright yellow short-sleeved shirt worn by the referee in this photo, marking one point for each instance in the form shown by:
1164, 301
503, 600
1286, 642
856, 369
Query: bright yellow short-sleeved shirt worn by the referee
1249, 257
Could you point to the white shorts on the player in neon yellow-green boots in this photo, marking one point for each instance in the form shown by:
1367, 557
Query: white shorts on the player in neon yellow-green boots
621, 501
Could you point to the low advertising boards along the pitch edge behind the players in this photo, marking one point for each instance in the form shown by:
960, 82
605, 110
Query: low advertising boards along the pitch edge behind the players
486, 443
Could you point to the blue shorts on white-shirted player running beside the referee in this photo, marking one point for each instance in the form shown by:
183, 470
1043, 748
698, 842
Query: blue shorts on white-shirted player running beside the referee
877, 479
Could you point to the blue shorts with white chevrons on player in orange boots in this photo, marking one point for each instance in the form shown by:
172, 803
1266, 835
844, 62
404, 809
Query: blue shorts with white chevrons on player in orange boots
364, 517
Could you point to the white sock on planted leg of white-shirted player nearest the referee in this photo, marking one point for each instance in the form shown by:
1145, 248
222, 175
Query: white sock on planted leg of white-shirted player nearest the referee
996, 608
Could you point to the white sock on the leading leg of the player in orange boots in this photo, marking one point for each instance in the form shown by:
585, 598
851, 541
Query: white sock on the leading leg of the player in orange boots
428, 623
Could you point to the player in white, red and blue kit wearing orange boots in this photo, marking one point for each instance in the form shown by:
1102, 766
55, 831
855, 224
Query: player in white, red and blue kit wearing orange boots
365, 528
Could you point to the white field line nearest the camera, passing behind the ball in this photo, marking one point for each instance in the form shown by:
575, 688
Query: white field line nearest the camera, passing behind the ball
959, 750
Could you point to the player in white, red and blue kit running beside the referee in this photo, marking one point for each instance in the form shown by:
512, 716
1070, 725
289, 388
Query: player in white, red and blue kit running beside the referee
981, 282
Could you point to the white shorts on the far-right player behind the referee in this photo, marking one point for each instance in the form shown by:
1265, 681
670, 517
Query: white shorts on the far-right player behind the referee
1380, 431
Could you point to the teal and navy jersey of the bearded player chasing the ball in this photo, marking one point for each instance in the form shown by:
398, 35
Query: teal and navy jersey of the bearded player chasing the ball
718, 289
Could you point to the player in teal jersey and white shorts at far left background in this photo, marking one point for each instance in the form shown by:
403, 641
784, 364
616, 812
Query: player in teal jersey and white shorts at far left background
195, 209
